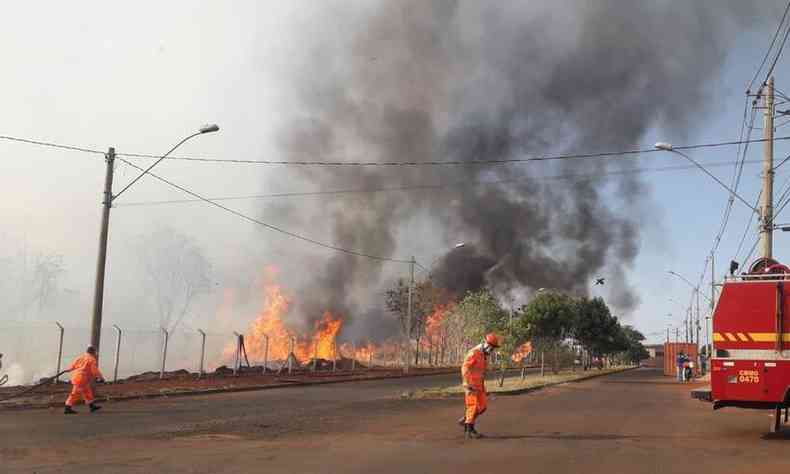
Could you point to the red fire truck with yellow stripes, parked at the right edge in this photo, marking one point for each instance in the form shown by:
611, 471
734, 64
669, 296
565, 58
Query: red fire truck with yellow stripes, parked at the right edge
750, 367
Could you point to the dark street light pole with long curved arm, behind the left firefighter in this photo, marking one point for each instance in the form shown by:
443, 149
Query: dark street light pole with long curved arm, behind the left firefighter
109, 198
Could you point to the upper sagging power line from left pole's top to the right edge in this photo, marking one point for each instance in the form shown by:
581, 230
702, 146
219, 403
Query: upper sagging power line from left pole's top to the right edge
455, 162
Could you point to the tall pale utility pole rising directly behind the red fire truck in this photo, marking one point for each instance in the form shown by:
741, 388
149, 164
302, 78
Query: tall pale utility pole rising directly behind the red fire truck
767, 204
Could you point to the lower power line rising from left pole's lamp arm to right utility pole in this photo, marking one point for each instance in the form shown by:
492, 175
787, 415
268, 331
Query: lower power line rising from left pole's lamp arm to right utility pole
435, 186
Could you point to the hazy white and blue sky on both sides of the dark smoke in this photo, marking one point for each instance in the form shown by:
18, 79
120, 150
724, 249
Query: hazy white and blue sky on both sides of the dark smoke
140, 77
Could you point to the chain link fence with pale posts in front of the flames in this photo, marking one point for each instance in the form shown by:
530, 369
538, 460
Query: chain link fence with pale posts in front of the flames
36, 350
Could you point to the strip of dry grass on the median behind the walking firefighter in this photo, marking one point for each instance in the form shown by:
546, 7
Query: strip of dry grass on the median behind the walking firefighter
511, 384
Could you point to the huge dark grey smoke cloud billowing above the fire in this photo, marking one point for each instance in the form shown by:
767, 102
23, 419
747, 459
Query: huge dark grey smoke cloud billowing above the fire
453, 80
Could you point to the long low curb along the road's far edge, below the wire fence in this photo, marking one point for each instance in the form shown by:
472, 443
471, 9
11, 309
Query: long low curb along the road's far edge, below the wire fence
212, 391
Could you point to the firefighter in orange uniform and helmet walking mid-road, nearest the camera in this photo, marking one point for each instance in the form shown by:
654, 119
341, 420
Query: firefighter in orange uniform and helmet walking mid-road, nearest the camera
473, 372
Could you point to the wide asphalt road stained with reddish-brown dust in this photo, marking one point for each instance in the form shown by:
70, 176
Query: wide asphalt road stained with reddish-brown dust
635, 422
